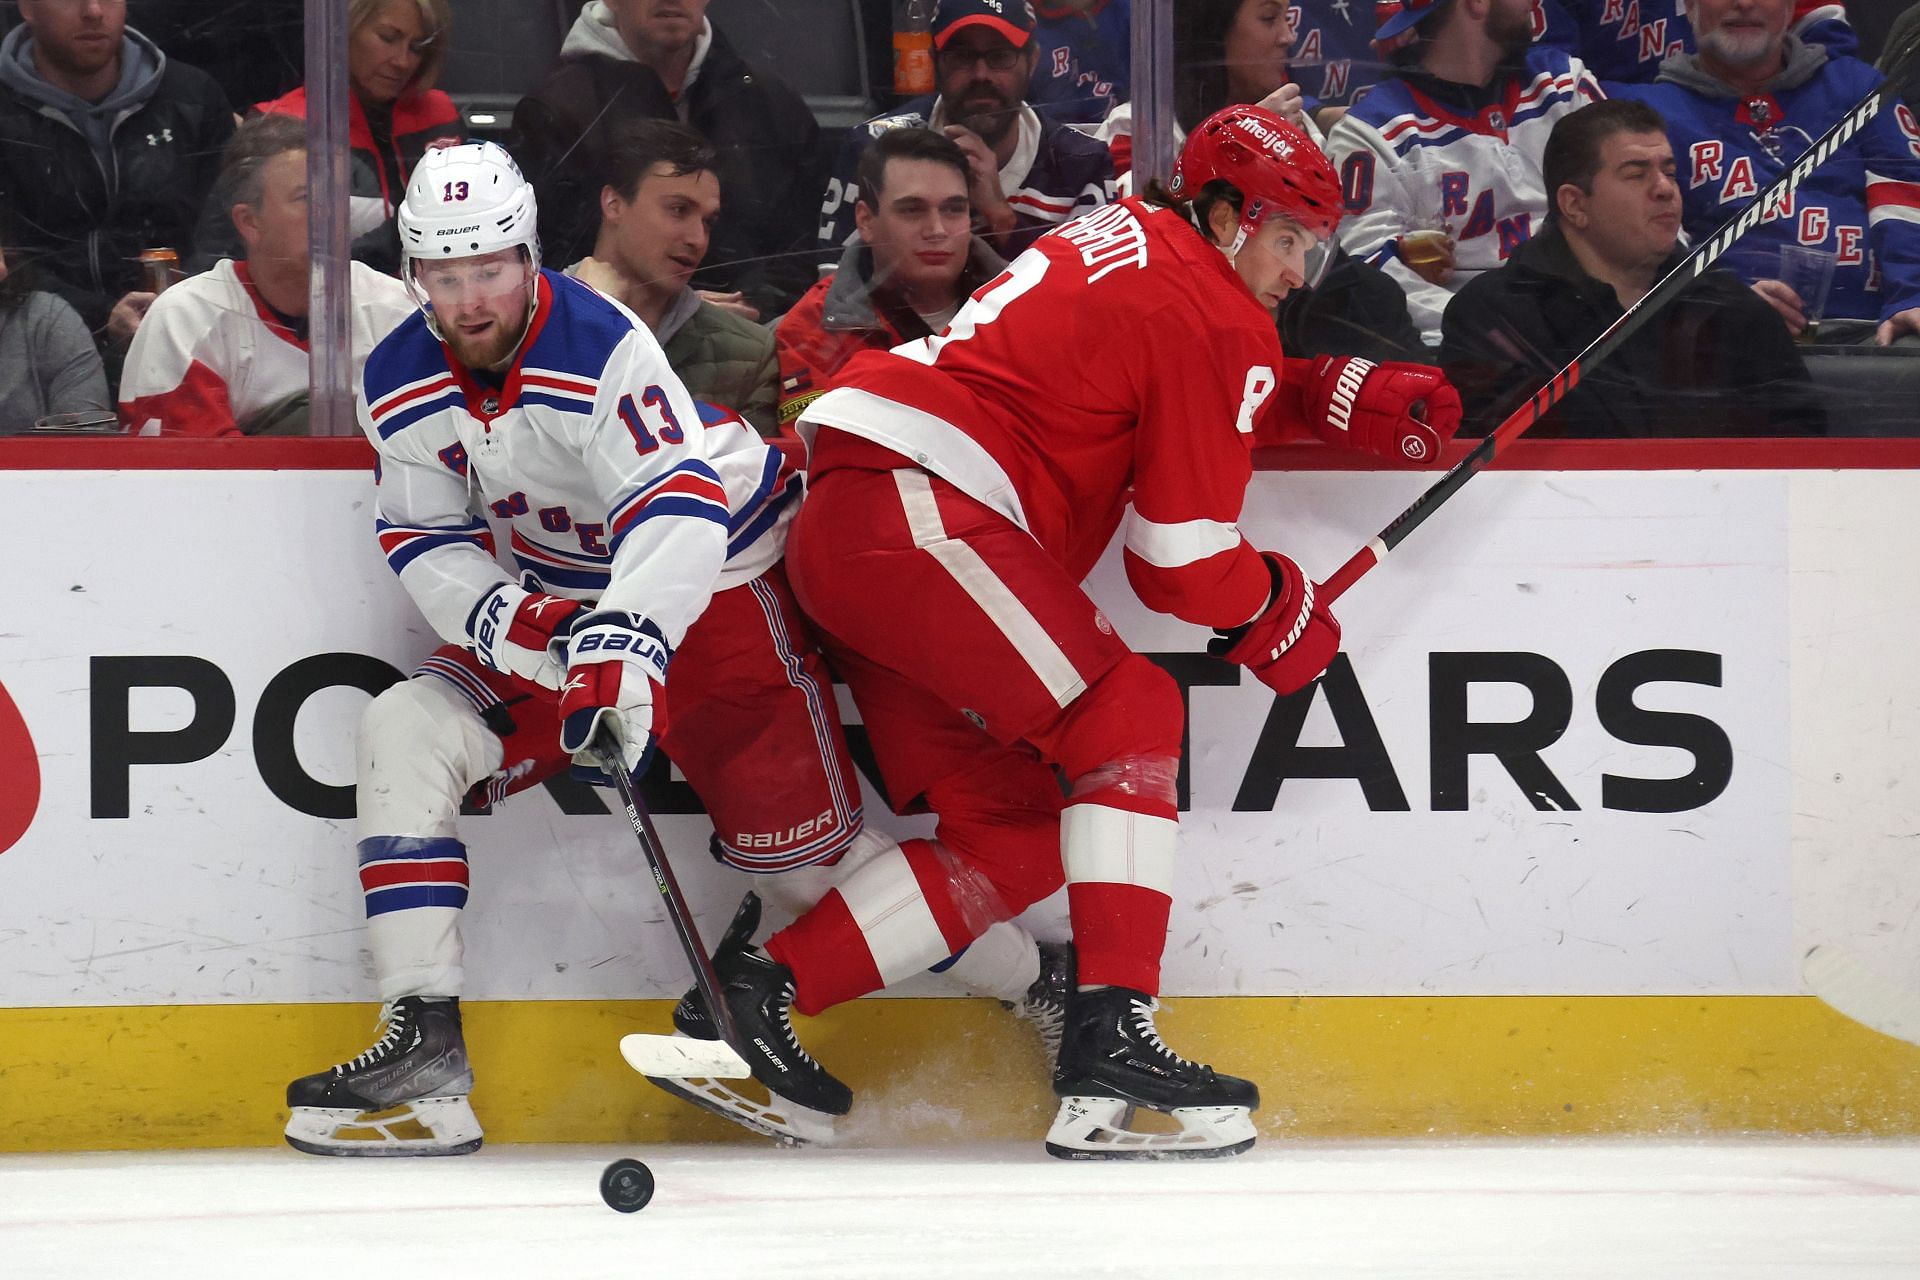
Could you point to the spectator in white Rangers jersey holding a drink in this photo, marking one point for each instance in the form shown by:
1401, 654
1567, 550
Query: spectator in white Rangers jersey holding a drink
1441, 162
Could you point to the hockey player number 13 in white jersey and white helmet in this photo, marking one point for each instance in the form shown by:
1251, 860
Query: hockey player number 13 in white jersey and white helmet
650, 536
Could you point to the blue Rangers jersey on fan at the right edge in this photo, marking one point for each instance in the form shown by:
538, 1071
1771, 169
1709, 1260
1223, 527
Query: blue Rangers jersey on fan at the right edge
1863, 204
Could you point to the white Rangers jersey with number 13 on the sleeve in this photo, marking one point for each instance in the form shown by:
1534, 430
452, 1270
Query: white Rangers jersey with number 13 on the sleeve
590, 452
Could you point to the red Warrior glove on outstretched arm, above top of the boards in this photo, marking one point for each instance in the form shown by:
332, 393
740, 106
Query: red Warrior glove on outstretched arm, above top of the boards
1397, 412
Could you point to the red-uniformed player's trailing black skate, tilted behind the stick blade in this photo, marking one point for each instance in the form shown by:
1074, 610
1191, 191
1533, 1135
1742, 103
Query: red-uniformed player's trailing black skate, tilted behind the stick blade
804, 1097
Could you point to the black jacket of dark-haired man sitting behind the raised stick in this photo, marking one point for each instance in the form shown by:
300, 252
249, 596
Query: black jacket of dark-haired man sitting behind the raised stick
1510, 329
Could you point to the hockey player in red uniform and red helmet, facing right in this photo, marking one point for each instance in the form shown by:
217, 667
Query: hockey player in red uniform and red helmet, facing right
961, 488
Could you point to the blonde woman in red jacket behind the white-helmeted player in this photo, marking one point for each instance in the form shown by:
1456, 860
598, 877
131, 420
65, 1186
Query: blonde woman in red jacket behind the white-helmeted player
395, 112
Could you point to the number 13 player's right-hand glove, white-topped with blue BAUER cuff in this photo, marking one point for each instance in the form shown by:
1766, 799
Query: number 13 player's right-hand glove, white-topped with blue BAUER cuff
615, 673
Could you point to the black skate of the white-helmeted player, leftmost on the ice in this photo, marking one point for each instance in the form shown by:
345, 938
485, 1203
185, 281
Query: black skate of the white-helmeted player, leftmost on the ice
404, 1097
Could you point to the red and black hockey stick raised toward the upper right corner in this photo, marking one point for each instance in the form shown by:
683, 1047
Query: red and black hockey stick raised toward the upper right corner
1625, 327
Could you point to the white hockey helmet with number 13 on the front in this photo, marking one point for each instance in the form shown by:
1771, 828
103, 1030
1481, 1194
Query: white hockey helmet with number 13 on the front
462, 202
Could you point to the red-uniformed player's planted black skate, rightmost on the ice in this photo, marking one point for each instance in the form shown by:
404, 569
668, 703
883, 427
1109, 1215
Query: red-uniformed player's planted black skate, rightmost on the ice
1113, 1060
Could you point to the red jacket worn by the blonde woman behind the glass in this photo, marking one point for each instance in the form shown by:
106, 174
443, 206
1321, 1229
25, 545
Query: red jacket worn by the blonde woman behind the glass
385, 147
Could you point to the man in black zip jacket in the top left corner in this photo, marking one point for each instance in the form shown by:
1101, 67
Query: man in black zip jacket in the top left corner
107, 149
